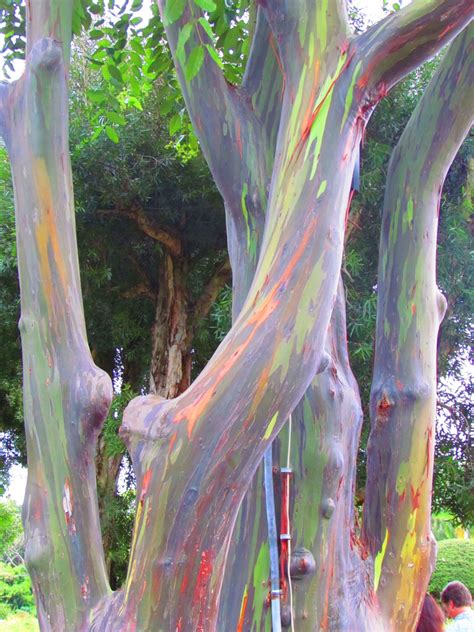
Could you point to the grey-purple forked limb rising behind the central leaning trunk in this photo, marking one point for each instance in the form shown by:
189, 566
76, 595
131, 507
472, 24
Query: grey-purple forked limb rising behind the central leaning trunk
224, 117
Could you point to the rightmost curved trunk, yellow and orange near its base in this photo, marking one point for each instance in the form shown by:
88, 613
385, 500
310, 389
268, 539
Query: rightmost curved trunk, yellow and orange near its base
396, 528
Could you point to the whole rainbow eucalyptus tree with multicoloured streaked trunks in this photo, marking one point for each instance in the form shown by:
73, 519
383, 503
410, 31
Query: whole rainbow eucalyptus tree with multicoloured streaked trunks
281, 147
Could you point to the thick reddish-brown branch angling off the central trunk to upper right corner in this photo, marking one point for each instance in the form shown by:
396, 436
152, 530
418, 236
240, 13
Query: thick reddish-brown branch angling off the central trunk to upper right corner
404, 40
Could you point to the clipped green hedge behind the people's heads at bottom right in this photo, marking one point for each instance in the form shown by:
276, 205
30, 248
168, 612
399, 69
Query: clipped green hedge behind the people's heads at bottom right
455, 562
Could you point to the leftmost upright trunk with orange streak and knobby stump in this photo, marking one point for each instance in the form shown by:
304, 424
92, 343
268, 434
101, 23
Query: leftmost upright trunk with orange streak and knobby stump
66, 395
